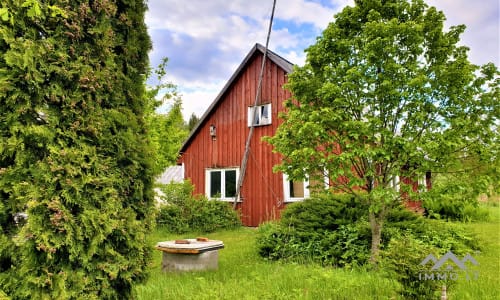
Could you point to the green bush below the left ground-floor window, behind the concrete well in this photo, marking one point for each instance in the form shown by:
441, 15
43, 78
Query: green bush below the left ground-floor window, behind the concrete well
184, 213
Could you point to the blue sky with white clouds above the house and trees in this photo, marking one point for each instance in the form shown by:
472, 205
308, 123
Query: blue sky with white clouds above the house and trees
206, 40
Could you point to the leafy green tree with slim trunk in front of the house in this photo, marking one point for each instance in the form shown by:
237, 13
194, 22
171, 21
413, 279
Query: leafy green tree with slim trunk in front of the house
386, 92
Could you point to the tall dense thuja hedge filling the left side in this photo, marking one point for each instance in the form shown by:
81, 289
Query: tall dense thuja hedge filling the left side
73, 149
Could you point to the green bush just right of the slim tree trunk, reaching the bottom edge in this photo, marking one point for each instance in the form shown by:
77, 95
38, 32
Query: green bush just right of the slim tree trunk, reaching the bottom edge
408, 238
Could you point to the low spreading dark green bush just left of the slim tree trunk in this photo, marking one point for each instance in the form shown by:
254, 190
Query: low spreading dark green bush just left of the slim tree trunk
328, 229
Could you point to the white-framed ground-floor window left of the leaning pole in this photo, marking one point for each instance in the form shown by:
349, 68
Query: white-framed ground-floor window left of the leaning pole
221, 183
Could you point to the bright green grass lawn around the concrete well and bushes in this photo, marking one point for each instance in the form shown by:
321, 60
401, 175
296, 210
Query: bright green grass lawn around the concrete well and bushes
243, 274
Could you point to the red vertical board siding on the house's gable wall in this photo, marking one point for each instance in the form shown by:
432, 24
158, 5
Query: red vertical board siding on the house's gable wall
262, 190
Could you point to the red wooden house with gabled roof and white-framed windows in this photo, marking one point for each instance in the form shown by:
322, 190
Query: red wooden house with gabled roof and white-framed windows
213, 152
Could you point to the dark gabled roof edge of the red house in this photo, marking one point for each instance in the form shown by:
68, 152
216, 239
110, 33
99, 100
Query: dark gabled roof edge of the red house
278, 60
